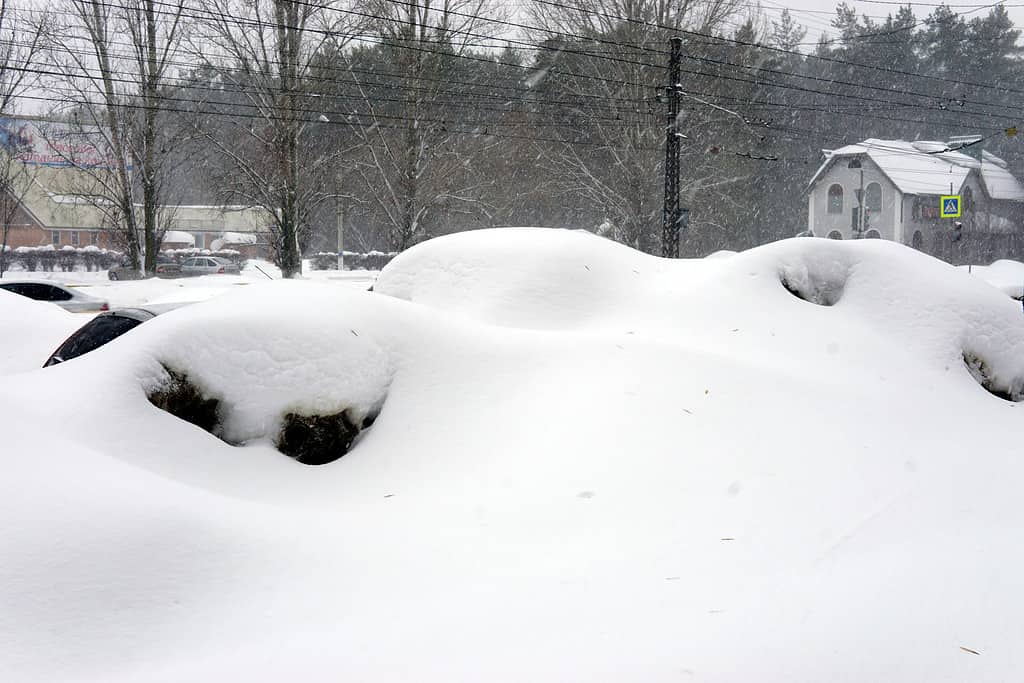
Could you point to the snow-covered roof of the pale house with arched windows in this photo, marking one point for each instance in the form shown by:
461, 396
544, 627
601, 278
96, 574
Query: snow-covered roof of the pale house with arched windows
922, 167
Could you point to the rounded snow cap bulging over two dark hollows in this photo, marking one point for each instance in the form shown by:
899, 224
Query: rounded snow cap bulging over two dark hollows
310, 362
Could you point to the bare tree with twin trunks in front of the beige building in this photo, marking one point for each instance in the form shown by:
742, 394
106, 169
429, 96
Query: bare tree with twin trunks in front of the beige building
114, 59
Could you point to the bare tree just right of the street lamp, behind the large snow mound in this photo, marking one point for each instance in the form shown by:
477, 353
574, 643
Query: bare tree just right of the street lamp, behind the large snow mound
416, 162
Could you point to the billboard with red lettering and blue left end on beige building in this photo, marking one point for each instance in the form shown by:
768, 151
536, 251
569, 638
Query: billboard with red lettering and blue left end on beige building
54, 144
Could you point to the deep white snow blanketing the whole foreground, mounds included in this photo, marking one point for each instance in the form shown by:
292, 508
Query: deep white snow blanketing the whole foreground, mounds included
589, 465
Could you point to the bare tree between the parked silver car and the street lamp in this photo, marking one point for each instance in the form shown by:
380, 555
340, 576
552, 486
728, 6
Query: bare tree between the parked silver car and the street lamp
264, 52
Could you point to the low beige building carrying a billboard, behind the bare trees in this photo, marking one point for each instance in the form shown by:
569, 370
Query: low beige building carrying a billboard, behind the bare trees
55, 201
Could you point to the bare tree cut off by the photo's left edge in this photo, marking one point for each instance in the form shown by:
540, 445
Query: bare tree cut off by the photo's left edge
21, 46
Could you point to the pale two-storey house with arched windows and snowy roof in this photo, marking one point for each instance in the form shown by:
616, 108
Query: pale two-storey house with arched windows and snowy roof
892, 190
